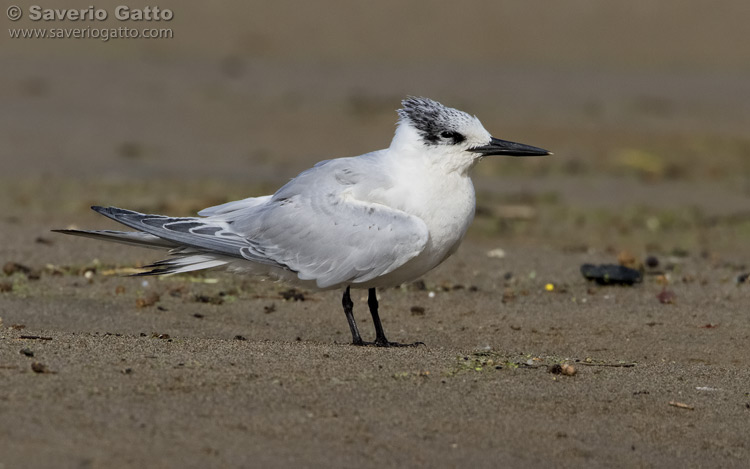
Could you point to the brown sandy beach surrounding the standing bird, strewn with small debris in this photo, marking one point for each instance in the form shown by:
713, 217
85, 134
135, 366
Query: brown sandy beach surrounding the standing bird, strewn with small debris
651, 158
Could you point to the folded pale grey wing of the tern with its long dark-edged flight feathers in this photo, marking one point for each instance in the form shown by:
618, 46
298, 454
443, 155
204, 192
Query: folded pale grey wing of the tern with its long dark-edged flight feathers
325, 225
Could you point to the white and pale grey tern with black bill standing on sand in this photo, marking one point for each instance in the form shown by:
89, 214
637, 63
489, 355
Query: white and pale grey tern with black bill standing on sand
369, 221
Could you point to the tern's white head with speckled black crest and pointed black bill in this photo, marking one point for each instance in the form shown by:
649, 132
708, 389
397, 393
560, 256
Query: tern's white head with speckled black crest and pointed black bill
450, 136
